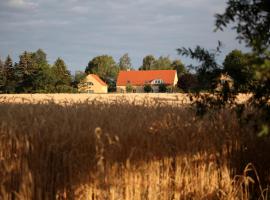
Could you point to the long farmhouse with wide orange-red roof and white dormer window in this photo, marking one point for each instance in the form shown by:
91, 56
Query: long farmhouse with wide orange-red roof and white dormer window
138, 79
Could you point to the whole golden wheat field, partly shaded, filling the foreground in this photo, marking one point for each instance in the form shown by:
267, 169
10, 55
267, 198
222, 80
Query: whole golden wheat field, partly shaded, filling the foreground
127, 147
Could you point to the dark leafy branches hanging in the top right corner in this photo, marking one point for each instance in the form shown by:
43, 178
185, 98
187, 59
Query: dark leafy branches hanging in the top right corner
251, 19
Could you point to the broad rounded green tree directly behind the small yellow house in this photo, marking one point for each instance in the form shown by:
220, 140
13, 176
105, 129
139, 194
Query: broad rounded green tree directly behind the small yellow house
104, 66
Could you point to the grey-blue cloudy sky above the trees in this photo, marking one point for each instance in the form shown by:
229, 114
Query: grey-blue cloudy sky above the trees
79, 30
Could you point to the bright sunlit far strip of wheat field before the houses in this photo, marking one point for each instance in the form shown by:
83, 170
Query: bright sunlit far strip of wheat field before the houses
167, 98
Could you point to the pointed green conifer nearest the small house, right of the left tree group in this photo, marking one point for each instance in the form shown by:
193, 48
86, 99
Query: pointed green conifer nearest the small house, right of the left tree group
61, 76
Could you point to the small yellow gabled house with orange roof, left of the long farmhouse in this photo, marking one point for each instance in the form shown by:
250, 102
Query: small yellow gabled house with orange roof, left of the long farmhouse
92, 84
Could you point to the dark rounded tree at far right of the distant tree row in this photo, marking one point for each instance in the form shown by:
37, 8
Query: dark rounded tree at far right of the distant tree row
238, 66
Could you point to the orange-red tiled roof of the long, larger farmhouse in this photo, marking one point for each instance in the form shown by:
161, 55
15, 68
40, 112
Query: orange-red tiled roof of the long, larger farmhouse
139, 78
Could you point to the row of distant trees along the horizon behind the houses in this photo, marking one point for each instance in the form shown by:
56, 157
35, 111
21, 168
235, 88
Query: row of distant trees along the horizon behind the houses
33, 73
